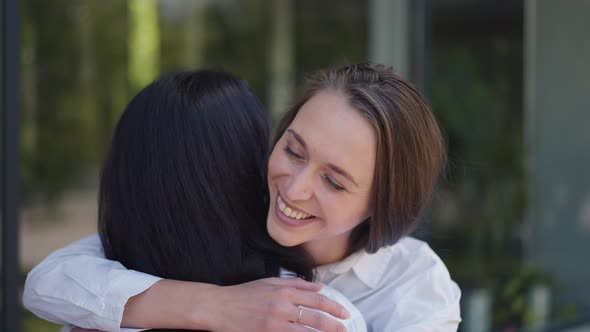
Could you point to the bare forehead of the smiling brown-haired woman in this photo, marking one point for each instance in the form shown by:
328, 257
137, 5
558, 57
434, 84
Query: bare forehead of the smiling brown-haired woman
336, 133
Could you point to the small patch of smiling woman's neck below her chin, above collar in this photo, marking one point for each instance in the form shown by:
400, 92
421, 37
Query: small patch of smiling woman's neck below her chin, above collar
330, 250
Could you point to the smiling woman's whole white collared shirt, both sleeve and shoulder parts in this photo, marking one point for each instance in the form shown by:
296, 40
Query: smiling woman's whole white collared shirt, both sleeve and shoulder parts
401, 288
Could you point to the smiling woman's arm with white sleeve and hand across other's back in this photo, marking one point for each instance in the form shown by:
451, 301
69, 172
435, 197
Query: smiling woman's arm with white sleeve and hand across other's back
77, 285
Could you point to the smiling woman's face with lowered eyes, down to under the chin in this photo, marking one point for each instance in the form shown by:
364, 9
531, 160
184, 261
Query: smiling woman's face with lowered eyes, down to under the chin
320, 177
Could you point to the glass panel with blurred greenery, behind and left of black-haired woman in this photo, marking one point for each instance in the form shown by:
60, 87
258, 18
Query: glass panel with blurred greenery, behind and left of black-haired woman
83, 60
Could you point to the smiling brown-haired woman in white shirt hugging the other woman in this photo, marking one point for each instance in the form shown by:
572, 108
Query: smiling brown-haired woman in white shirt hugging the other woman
353, 166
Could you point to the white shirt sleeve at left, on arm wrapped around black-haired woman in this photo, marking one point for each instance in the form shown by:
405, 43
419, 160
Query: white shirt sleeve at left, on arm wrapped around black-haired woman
77, 285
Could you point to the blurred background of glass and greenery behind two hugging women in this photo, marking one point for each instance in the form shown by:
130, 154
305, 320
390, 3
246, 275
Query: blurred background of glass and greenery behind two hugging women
508, 80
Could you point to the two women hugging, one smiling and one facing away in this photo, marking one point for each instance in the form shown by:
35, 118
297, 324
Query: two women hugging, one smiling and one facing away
204, 224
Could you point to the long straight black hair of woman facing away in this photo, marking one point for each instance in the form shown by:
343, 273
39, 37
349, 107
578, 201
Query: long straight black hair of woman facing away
183, 191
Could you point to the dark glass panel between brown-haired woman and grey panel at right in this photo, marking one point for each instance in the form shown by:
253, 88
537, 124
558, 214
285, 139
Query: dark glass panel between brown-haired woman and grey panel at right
477, 94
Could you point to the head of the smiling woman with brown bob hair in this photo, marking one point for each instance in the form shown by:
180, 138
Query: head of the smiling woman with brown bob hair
365, 145
